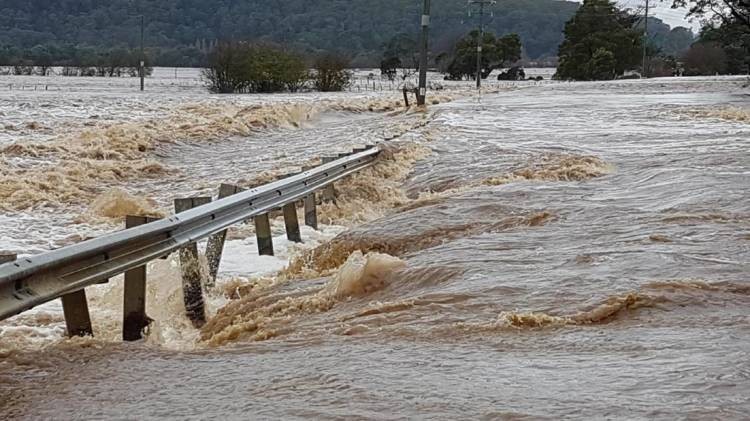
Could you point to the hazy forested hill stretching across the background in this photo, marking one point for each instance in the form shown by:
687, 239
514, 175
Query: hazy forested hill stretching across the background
356, 27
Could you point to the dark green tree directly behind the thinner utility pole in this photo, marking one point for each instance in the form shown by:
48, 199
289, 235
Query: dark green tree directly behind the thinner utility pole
496, 53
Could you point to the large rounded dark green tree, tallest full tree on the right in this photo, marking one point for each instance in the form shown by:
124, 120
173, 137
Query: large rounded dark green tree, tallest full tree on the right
599, 35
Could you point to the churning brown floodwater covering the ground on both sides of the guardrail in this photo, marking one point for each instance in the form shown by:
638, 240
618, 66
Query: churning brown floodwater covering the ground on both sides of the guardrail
542, 252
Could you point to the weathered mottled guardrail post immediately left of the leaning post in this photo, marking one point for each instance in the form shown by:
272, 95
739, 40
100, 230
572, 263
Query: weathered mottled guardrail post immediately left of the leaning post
192, 288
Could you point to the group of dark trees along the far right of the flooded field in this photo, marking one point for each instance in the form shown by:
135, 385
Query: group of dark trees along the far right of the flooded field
603, 42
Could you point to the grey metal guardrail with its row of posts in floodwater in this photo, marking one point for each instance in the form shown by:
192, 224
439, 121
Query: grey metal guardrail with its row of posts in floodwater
65, 273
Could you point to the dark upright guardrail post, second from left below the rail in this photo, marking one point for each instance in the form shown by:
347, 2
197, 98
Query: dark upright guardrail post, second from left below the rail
134, 318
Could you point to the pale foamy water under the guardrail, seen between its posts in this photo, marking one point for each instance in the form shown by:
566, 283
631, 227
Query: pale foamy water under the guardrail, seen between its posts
44, 325
